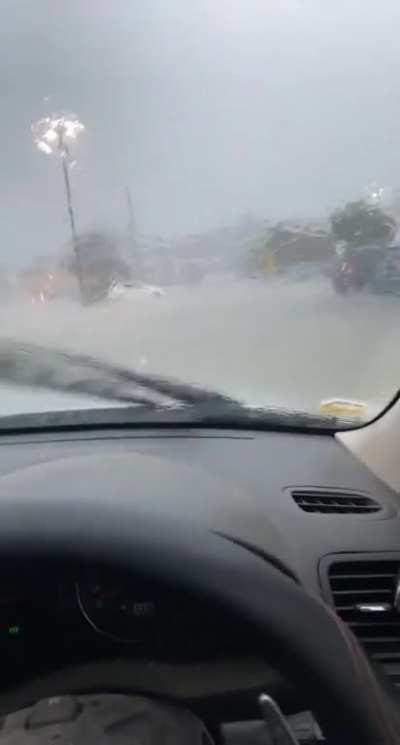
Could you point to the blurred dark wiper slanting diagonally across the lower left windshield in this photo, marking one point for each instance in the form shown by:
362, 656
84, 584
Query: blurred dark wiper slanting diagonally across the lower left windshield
50, 369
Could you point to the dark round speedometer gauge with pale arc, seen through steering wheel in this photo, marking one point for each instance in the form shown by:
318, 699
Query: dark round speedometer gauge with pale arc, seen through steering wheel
116, 606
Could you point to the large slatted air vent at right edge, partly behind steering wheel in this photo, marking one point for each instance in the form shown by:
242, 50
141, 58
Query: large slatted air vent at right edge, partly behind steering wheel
364, 596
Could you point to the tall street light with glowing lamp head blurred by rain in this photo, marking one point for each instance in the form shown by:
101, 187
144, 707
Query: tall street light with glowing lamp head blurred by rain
54, 136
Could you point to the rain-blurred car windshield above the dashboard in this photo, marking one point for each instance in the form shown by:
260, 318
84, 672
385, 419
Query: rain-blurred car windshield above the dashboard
206, 191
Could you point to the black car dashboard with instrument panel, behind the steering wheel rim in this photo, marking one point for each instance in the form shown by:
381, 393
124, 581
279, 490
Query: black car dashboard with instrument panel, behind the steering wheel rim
241, 484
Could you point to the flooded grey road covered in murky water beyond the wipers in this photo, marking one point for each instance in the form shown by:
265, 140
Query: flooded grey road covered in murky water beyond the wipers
276, 343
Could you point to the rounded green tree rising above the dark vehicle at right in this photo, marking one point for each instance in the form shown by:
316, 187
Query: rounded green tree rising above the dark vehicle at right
362, 224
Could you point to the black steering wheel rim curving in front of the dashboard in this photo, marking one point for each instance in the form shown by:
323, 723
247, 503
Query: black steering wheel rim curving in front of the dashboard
322, 656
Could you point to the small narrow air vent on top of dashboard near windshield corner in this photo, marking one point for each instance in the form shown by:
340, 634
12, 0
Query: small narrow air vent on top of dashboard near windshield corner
332, 502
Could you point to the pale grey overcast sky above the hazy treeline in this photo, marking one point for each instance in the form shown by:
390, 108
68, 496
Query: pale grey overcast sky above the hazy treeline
208, 109
